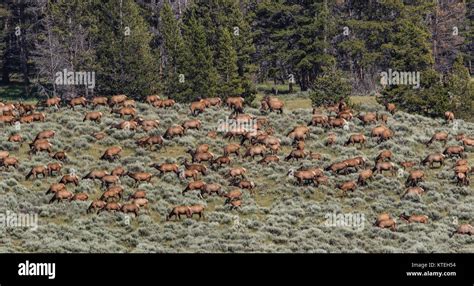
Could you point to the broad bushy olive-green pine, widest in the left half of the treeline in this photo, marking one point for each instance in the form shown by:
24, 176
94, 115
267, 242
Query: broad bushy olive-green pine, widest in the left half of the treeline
126, 62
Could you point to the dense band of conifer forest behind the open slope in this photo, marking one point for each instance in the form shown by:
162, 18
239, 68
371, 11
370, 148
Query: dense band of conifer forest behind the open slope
188, 49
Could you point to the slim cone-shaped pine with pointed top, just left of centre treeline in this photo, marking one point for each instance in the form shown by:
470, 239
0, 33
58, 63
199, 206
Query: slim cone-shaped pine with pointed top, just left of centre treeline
199, 70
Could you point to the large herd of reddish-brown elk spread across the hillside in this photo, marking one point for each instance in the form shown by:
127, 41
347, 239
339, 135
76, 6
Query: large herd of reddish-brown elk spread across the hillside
251, 138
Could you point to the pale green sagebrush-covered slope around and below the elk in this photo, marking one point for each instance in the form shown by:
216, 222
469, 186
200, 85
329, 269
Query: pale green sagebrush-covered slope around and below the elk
279, 217
